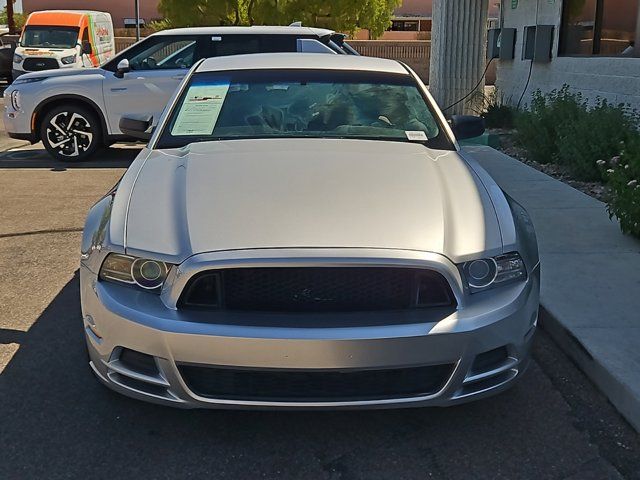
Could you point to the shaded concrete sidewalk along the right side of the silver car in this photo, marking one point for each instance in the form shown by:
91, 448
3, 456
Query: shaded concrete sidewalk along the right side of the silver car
590, 291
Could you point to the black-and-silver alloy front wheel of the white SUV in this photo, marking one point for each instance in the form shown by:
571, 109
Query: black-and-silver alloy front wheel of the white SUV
71, 133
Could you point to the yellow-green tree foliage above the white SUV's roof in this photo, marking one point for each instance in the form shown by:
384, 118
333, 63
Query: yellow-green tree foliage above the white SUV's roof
340, 15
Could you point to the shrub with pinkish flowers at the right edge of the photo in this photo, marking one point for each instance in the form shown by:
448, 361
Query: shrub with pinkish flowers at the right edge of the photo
622, 173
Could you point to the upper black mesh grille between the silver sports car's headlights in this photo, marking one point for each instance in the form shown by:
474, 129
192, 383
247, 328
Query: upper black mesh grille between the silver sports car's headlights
317, 289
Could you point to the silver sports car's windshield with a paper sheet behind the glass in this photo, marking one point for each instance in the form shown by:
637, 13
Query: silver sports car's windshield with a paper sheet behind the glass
301, 103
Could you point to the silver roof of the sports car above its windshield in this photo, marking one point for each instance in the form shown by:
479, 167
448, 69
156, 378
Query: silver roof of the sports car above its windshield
313, 61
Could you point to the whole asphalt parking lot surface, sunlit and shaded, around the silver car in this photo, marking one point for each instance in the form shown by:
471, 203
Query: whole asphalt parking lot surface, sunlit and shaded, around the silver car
57, 421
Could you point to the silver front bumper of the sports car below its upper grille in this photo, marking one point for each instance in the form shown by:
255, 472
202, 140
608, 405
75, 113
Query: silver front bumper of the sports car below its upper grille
116, 317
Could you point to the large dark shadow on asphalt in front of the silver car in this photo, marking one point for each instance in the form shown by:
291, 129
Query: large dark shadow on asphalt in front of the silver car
58, 421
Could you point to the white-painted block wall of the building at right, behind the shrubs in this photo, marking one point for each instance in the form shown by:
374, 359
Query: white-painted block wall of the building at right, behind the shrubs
616, 79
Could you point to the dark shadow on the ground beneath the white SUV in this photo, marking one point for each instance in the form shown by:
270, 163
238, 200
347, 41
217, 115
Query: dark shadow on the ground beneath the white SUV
34, 157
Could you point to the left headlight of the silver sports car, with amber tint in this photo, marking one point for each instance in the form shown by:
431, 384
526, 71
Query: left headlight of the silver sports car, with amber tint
141, 272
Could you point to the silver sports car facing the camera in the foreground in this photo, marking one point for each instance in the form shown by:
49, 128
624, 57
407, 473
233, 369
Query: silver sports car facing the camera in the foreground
303, 231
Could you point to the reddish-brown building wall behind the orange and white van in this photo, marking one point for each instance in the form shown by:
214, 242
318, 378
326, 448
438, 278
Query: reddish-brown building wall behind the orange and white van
122, 11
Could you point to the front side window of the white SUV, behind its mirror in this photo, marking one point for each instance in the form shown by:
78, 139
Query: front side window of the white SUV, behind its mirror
166, 53
